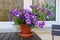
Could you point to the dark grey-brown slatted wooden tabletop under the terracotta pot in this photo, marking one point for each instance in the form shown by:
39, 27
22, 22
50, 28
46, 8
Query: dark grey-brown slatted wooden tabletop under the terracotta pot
15, 36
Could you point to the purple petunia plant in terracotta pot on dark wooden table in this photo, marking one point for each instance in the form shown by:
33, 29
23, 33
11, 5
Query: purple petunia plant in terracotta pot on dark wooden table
28, 19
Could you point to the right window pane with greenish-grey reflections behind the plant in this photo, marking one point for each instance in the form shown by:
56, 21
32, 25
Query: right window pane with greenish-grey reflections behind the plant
49, 5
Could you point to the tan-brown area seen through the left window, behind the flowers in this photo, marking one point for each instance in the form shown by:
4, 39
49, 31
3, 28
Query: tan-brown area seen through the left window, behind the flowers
7, 5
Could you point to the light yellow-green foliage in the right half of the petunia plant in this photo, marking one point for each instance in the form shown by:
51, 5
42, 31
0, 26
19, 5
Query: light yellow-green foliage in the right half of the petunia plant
41, 15
